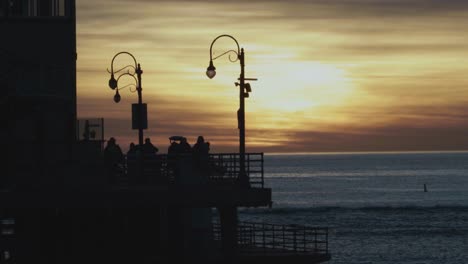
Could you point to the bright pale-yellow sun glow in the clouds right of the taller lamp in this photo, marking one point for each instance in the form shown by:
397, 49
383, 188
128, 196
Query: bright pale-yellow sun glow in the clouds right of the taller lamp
298, 86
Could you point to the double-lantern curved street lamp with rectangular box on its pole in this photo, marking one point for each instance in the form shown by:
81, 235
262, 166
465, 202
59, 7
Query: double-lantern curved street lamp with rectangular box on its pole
139, 113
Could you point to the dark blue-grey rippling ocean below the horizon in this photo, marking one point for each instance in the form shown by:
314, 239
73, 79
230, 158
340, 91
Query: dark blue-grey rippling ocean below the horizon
374, 204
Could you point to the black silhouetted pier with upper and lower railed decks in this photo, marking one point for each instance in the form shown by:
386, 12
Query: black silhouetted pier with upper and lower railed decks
179, 215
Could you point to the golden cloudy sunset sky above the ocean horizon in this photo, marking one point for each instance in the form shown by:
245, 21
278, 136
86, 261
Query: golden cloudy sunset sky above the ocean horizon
346, 75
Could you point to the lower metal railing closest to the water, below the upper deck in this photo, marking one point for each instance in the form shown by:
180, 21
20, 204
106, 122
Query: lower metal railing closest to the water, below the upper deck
263, 238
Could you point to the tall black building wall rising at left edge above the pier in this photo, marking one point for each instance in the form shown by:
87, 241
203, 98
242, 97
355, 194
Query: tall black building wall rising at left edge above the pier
38, 57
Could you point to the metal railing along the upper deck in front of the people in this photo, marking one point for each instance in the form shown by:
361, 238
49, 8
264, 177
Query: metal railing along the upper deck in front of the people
219, 168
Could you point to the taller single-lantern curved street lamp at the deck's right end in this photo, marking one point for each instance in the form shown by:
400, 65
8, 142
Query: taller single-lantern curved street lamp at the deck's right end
244, 89
